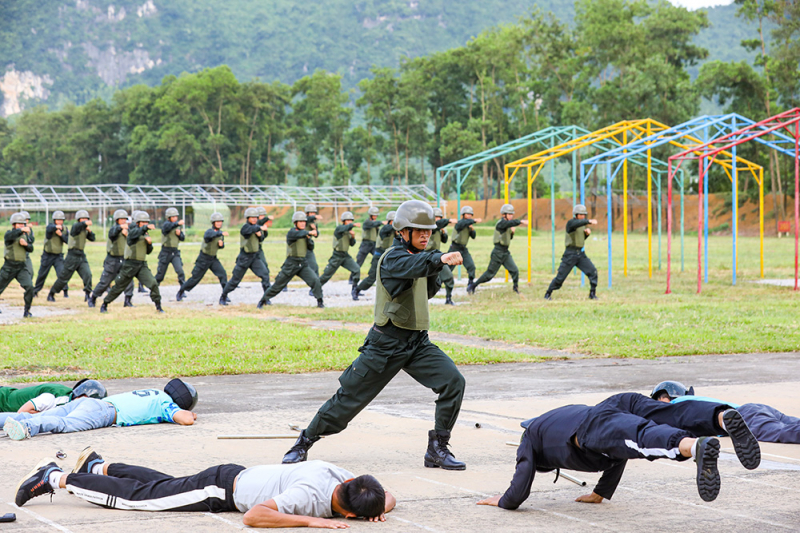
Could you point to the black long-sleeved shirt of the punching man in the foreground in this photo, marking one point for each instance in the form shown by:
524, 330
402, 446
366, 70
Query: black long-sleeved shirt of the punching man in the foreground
400, 268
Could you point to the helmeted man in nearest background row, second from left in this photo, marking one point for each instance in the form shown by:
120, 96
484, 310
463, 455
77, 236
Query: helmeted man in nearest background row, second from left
138, 246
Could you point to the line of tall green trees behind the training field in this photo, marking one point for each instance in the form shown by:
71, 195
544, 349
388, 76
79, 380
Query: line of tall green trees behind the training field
621, 59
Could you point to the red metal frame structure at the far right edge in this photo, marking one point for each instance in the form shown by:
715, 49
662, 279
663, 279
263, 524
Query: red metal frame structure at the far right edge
754, 131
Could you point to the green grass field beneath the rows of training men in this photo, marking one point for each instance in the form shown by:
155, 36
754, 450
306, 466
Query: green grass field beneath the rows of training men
633, 319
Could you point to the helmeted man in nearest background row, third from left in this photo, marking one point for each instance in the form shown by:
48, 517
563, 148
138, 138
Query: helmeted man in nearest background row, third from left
297, 242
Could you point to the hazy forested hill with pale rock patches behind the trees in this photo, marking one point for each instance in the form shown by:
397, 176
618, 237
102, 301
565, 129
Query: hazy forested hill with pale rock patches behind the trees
59, 50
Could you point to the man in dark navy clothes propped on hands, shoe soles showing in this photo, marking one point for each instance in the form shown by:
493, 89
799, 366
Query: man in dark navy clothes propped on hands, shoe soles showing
627, 426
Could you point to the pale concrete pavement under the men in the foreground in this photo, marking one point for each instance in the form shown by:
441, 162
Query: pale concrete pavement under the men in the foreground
388, 440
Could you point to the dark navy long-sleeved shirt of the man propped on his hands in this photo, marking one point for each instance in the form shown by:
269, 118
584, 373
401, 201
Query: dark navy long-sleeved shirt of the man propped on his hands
547, 444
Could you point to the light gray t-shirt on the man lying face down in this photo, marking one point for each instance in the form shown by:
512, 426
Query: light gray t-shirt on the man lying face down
299, 489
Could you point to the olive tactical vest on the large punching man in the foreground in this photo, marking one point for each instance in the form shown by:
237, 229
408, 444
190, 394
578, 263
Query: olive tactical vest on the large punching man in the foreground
409, 310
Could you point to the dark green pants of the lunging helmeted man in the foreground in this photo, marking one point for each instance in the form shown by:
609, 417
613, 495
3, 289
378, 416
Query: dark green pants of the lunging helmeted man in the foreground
382, 357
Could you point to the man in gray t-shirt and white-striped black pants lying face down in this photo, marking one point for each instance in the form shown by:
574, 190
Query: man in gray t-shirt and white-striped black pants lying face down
305, 494
